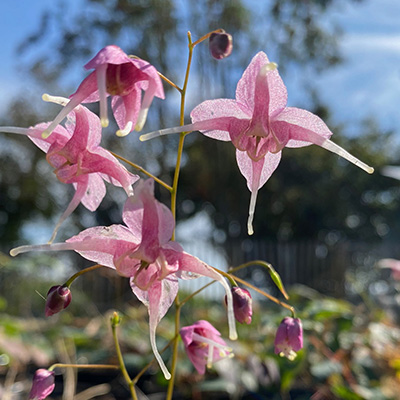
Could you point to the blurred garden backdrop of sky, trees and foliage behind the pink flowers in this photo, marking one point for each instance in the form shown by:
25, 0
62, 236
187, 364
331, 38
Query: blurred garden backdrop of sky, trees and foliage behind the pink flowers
321, 222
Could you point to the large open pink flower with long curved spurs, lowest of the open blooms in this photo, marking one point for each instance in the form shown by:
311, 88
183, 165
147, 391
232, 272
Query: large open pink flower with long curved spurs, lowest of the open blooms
142, 250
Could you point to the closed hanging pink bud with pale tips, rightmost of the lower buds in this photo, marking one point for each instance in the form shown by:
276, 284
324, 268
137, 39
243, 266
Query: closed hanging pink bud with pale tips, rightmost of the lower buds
289, 338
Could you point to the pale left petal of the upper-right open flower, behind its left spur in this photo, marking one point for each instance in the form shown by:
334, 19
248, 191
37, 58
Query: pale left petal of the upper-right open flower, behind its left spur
216, 109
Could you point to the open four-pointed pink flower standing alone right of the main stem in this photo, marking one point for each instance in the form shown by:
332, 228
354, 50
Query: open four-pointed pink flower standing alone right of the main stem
260, 125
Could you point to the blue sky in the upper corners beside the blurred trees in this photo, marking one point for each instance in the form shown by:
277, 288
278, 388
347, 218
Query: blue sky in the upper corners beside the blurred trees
367, 83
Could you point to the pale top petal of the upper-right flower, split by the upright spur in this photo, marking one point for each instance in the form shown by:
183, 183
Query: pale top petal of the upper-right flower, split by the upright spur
247, 84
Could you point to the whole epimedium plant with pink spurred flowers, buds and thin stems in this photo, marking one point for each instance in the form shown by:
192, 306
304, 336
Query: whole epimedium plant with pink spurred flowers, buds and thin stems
143, 248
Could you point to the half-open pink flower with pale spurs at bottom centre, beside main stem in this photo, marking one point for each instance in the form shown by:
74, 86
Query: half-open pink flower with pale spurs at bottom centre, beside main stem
203, 345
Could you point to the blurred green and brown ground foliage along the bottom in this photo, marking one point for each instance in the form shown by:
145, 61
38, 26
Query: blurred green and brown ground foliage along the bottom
351, 349
